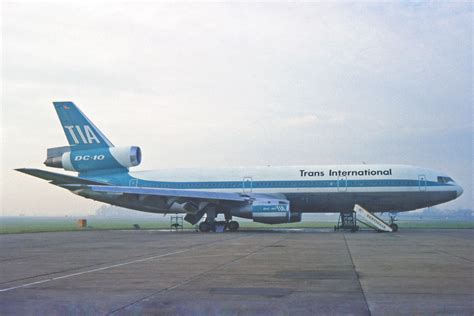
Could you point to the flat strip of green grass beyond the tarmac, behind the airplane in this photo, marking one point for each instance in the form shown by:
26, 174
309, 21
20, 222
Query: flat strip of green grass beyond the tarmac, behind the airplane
13, 225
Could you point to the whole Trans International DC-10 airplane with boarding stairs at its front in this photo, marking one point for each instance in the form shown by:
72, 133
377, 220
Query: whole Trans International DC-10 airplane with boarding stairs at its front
270, 195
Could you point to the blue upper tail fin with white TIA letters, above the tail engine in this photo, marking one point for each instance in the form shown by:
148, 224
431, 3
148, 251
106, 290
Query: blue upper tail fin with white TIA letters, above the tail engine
80, 132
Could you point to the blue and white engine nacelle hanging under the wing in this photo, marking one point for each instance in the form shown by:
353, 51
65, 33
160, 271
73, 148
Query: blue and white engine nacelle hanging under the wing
271, 211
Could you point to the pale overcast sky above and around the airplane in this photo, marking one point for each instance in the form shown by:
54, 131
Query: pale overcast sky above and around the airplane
238, 84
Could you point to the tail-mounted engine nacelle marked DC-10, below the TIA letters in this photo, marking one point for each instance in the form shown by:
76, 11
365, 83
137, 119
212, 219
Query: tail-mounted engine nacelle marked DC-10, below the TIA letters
93, 159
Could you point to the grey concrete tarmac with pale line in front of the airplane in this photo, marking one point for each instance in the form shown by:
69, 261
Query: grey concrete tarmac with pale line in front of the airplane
275, 272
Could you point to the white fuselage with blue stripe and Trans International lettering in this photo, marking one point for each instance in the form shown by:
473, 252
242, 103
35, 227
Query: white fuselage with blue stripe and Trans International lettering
328, 188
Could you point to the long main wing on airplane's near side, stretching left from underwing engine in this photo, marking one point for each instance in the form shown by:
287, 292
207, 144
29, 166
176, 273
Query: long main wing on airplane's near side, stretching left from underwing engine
143, 191
